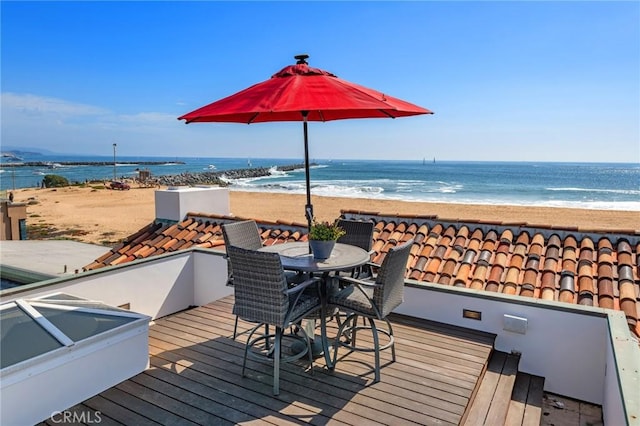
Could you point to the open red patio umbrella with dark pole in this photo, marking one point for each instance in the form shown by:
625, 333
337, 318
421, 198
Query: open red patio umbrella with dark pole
302, 93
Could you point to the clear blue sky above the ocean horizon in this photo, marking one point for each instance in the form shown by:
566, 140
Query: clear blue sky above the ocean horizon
508, 81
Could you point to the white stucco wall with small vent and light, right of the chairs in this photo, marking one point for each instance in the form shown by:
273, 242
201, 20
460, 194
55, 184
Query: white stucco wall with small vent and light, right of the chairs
566, 346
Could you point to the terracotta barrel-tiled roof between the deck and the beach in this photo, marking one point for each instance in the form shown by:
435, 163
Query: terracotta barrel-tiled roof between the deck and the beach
584, 267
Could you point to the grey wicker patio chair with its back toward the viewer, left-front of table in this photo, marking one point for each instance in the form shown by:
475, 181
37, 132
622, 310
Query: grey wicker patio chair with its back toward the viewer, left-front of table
263, 296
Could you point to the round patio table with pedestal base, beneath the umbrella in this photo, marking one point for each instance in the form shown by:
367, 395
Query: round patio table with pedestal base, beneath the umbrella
297, 257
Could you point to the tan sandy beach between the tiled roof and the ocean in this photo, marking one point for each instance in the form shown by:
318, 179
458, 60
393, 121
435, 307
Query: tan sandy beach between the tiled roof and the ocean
102, 216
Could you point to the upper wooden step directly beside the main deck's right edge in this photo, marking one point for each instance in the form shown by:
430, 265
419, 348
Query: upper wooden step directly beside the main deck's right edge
491, 403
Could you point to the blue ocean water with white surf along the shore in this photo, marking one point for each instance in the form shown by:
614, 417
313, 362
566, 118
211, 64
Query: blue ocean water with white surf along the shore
608, 186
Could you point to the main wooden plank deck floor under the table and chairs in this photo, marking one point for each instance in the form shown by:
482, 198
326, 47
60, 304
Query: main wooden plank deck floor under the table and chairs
195, 378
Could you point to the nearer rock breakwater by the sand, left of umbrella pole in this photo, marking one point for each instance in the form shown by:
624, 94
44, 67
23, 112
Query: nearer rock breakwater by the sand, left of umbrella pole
222, 177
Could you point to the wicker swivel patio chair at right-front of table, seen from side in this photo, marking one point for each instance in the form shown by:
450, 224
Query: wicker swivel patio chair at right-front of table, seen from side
372, 299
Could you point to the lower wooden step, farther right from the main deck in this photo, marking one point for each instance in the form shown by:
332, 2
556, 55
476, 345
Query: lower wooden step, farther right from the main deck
525, 407
